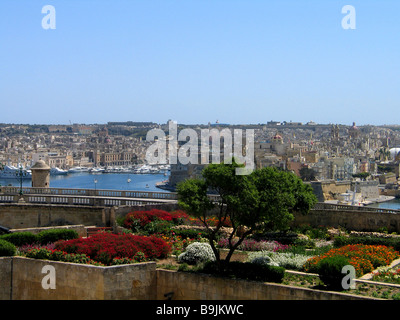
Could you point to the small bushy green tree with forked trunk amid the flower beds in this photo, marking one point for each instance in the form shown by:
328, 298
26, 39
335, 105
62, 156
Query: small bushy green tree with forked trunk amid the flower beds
264, 199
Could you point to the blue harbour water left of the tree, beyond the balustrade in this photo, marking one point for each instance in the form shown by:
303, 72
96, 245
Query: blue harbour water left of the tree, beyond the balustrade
108, 181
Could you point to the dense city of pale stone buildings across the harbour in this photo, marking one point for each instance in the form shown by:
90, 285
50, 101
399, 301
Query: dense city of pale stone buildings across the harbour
314, 152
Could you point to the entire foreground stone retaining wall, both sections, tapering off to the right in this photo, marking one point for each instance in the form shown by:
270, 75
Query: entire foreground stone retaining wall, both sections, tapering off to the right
21, 279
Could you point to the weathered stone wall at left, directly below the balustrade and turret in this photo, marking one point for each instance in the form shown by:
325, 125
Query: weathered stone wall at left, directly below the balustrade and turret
19, 216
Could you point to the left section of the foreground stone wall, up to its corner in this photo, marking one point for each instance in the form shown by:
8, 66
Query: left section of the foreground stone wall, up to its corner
21, 279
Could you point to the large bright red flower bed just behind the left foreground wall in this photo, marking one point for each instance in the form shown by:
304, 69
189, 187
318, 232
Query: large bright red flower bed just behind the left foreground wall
104, 247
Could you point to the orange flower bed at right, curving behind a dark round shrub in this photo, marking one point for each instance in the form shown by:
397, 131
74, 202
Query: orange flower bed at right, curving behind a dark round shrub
364, 258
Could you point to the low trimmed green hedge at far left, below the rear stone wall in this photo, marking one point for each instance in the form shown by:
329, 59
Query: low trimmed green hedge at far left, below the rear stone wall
43, 237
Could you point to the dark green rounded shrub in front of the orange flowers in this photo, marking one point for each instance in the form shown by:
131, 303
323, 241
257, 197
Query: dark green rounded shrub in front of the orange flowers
330, 271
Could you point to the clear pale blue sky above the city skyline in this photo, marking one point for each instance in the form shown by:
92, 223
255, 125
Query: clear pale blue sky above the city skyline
198, 61
